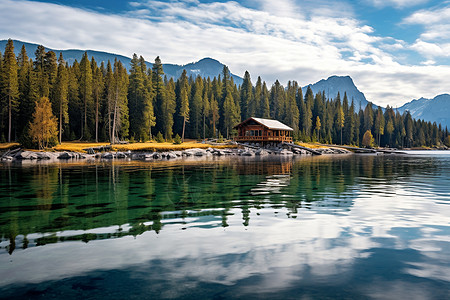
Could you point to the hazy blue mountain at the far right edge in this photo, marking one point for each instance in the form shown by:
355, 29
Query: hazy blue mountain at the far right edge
432, 110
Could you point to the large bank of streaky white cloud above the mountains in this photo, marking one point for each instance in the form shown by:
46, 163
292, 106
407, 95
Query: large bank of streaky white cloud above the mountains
272, 45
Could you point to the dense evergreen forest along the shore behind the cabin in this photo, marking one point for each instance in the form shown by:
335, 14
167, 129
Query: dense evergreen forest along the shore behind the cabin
105, 102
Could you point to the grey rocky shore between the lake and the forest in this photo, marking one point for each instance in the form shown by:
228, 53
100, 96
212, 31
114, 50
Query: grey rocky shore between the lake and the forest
91, 154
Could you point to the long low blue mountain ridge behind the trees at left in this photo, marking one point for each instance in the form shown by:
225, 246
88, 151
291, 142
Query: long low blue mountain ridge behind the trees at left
206, 67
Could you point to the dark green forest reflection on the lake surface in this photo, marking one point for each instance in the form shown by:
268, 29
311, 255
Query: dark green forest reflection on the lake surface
46, 204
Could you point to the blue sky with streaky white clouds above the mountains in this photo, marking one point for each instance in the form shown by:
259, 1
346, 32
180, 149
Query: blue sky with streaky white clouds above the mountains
395, 50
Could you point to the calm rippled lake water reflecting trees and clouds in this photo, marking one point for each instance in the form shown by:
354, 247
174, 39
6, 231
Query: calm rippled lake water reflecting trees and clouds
328, 227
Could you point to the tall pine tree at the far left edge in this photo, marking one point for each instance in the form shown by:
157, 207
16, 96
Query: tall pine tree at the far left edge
9, 82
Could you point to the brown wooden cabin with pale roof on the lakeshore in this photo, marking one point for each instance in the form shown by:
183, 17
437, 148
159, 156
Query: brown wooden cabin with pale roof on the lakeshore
263, 131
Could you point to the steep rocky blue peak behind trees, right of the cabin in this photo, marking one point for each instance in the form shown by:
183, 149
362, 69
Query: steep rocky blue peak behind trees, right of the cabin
341, 84
